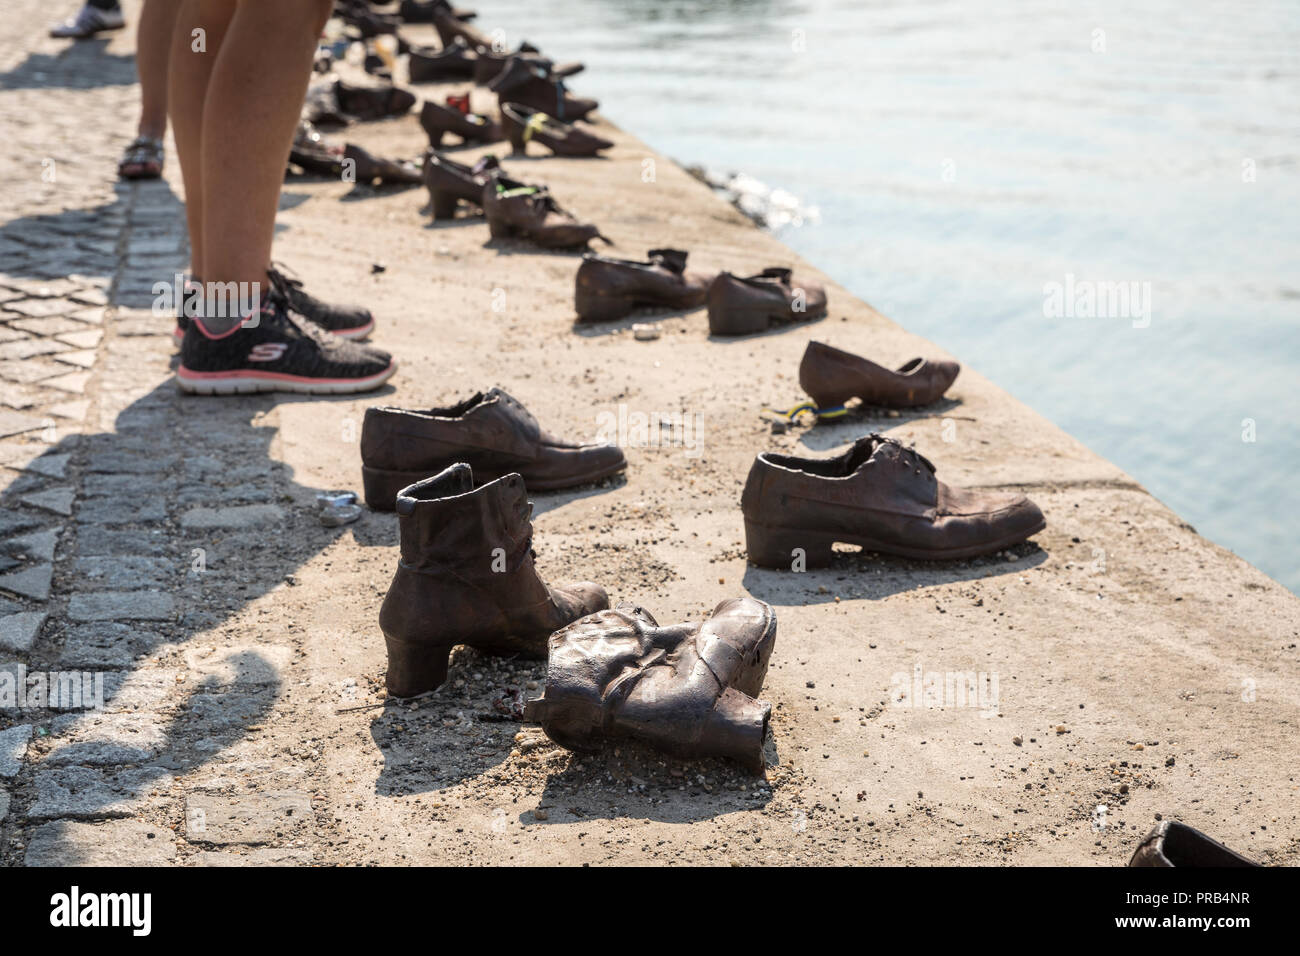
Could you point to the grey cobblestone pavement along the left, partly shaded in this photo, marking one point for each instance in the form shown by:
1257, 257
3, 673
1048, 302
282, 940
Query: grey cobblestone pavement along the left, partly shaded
97, 503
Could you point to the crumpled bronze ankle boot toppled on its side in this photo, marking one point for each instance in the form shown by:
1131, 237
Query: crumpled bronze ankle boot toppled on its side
687, 690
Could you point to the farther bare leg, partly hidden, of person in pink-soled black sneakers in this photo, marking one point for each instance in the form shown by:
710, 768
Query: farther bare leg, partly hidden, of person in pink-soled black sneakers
190, 68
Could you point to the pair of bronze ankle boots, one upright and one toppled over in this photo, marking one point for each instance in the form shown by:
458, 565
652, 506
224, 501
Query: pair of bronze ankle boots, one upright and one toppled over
467, 576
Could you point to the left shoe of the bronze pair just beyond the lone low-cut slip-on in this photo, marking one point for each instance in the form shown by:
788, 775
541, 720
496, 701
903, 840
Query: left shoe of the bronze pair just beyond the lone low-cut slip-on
606, 289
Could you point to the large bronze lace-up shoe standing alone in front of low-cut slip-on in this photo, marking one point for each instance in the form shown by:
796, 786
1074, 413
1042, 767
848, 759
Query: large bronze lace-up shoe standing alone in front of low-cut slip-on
881, 496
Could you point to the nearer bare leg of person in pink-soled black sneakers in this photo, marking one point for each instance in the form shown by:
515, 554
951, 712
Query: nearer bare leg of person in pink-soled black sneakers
255, 98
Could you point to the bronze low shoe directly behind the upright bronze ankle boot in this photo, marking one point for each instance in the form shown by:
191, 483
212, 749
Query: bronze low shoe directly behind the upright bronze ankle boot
492, 432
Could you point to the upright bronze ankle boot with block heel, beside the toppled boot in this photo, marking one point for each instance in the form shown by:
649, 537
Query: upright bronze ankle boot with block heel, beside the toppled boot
467, 577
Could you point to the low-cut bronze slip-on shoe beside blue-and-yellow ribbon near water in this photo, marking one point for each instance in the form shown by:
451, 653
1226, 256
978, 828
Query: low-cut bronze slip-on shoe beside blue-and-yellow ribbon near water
833, 377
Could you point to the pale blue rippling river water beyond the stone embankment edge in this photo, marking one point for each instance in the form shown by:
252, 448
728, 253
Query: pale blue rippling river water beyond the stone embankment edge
964, 155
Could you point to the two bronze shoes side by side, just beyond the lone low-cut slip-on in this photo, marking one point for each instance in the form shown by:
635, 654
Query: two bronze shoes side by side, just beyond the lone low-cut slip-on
608, 289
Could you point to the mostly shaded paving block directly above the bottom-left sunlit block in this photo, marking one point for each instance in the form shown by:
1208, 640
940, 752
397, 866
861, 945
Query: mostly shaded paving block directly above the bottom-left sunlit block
96, 794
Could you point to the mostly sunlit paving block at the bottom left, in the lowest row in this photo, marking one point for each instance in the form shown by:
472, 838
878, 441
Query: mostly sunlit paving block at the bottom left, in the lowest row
114, 843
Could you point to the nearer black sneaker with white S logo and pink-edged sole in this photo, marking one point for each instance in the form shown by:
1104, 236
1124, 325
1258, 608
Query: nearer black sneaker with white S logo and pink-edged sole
276, 353
